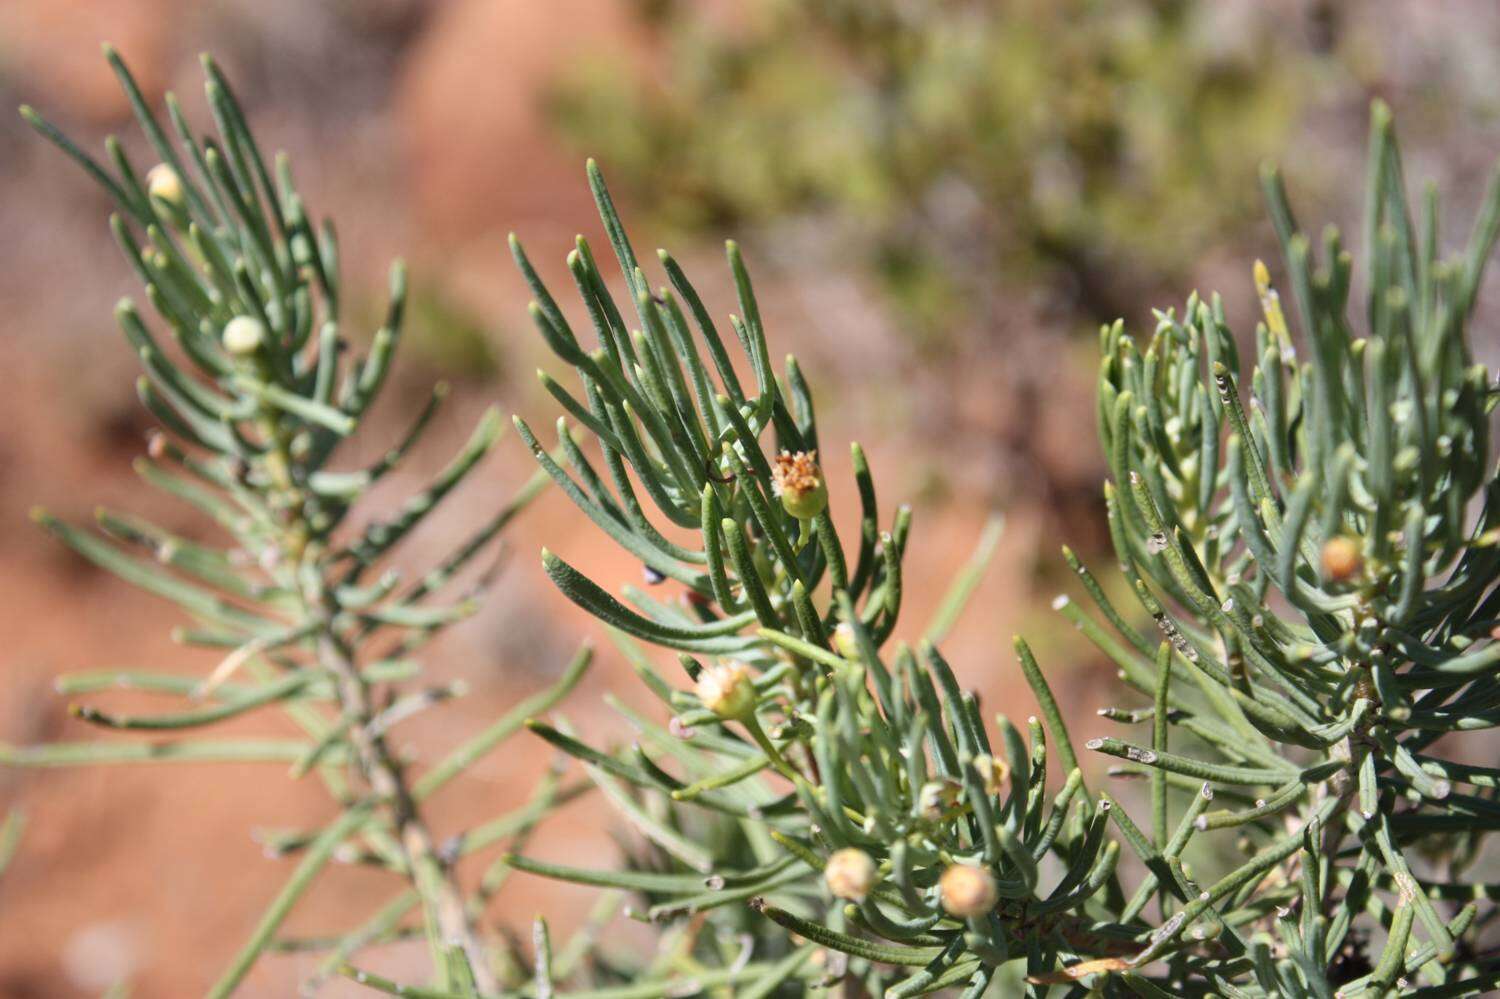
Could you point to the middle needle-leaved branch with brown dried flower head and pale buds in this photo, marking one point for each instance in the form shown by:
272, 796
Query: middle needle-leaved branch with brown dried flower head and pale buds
949, 856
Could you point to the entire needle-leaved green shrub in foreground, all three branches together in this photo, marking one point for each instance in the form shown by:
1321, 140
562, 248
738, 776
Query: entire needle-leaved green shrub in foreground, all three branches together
826, 805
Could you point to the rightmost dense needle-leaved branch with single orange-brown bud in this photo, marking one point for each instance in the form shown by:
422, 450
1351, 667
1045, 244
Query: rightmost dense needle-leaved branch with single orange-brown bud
1322, 565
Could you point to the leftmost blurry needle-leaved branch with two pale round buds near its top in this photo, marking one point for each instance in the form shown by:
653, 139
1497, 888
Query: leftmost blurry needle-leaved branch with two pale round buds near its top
254, 404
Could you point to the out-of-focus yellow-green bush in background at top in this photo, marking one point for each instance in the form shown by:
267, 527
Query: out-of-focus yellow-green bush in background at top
1096, 146
